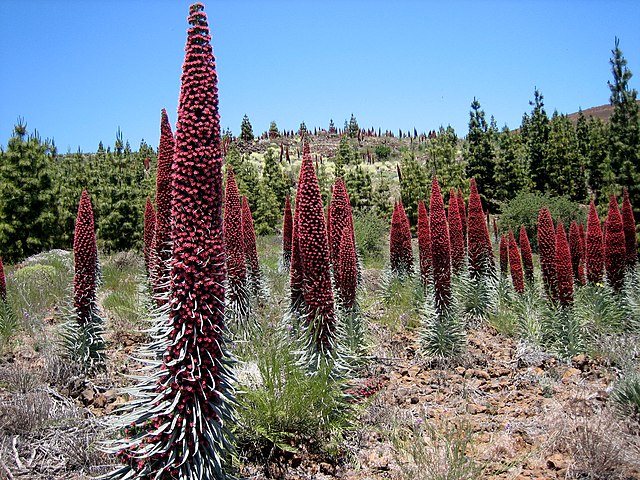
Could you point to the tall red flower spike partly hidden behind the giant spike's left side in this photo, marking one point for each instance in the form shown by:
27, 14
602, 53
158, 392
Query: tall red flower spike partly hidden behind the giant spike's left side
161, 251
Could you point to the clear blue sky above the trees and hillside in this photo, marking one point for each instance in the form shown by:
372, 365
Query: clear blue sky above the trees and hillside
78, 70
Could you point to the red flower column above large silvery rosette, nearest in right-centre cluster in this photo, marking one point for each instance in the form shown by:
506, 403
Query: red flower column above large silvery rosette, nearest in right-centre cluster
440, 248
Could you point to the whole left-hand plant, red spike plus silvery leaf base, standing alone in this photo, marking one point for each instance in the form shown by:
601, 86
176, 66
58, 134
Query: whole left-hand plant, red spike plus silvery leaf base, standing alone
82, 337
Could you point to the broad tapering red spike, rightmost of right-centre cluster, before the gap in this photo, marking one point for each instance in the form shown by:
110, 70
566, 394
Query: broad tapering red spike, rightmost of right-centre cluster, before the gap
480, 251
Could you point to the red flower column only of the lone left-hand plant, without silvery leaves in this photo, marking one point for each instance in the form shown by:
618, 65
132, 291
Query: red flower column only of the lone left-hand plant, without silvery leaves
85, 256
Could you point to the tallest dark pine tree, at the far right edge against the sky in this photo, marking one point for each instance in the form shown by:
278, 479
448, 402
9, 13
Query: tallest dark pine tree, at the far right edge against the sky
624, 128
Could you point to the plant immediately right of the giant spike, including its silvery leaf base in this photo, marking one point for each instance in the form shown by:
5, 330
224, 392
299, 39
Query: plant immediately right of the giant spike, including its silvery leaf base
234, 246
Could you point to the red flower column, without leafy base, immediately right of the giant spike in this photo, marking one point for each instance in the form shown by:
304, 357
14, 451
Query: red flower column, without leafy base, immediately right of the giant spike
234, 240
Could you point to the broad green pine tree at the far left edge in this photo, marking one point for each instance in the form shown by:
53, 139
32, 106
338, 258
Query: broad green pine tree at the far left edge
27, 206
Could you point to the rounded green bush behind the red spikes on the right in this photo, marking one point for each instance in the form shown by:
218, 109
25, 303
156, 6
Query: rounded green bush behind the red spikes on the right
524, 208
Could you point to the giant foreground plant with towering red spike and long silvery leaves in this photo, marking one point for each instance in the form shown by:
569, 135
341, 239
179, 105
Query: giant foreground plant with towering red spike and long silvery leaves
178, 425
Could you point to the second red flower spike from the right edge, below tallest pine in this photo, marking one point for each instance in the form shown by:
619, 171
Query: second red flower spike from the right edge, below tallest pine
614, 246
